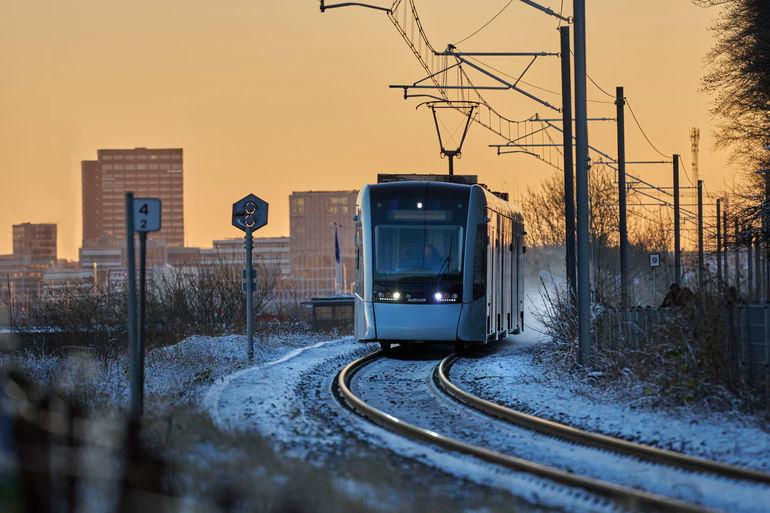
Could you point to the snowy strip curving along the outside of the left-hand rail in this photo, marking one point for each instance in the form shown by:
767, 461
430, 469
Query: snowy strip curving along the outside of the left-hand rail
290, 401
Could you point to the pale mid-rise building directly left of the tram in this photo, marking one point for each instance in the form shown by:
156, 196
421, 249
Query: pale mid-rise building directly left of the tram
313, 216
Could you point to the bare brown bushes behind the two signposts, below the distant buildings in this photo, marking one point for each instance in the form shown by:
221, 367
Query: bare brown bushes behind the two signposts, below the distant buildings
180, 302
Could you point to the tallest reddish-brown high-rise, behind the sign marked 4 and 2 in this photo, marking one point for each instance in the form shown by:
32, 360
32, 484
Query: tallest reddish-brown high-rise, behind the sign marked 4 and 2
147, 172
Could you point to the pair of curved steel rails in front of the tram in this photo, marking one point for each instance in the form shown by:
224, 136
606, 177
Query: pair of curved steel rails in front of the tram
627, 497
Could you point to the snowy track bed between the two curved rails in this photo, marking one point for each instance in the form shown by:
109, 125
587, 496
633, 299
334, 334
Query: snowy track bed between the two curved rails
402, 386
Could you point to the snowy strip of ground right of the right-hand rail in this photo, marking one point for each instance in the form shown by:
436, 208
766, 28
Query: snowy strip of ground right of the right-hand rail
508, 374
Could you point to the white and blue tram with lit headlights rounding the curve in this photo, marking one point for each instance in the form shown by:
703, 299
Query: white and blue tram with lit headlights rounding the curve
437, 261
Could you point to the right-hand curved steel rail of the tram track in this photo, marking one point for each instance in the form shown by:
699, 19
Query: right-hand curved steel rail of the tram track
617, 445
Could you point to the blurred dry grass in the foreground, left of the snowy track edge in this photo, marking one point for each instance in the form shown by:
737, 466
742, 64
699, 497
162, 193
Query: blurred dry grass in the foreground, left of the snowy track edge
240, 471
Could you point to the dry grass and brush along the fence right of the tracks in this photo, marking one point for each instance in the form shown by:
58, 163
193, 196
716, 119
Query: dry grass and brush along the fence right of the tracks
689, 356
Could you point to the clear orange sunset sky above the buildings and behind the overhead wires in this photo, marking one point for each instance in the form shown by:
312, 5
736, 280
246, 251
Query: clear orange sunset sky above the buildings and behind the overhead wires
271, 97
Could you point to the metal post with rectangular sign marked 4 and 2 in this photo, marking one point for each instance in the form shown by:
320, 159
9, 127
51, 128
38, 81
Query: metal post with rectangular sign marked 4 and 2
142, 215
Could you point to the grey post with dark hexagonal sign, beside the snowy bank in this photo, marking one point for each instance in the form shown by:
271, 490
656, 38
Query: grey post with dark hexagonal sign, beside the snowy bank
249, 215
